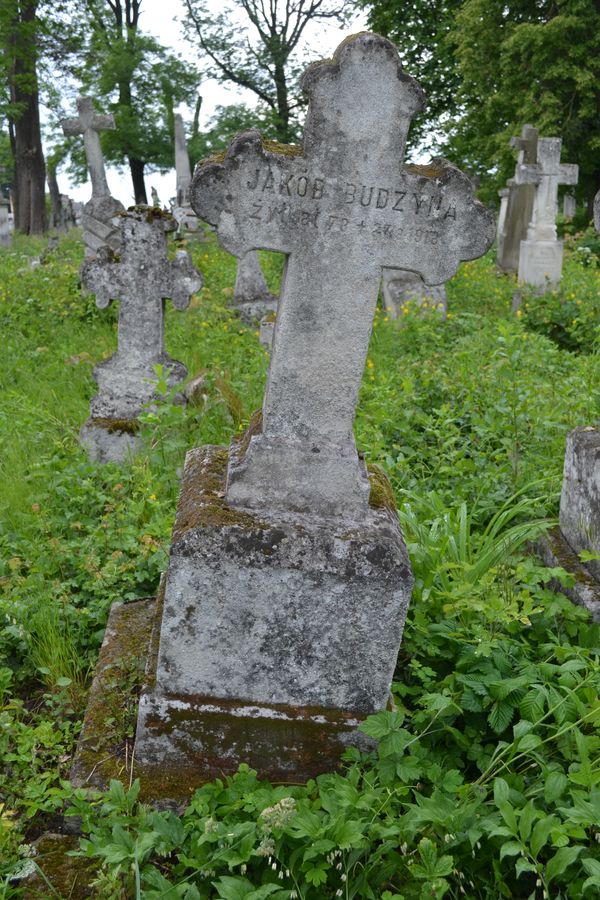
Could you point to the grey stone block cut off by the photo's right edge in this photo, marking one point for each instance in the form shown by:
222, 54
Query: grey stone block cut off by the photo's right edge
580, 499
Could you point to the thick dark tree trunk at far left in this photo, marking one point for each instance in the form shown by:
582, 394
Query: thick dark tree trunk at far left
30, 172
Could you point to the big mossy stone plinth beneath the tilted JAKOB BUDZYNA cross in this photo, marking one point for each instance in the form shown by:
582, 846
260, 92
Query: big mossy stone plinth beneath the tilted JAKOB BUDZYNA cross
278, 634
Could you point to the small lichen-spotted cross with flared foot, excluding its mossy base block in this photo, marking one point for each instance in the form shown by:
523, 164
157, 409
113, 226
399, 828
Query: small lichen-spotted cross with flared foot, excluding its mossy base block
140, 278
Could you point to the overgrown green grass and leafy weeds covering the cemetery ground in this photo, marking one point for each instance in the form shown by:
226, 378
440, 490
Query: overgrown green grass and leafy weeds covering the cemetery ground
485, 781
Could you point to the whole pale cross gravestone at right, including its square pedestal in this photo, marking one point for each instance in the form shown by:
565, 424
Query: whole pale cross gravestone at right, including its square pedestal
540, 255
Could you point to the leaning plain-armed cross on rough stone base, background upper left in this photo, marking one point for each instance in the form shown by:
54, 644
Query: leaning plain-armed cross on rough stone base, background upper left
98, 213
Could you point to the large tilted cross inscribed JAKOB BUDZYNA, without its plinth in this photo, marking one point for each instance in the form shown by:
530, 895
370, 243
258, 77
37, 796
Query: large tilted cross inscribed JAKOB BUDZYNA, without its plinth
342, 208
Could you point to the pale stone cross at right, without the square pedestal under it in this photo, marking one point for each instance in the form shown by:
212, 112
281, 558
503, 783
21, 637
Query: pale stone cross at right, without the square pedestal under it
547, 173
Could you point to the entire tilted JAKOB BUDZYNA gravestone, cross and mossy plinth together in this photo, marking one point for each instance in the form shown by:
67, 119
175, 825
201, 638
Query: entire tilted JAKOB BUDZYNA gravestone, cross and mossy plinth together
288, 579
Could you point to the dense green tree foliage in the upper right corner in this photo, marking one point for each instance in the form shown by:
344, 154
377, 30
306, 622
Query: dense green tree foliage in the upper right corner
490, 66
